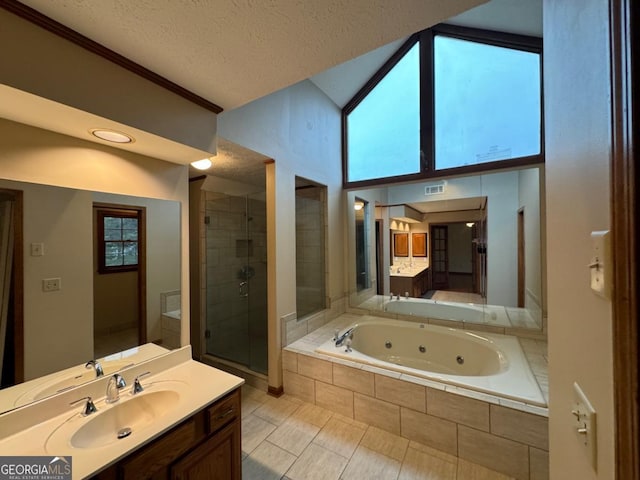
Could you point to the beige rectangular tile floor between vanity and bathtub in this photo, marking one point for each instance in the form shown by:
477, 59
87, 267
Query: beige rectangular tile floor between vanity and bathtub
285, 438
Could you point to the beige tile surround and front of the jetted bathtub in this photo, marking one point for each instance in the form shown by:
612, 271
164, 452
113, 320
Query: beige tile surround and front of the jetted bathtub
503, 435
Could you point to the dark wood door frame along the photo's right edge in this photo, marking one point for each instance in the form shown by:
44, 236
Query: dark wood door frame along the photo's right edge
623, 15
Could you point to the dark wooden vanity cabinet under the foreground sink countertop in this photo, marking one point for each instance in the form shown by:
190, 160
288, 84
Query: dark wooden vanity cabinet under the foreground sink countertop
206, 446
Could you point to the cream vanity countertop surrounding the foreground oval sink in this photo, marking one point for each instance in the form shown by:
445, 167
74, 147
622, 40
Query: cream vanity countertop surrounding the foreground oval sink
197, 385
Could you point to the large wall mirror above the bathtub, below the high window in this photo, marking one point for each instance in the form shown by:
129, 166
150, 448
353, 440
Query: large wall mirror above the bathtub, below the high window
475, 250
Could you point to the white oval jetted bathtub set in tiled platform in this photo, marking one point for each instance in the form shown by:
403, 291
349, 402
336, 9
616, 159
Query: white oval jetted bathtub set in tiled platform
489, 363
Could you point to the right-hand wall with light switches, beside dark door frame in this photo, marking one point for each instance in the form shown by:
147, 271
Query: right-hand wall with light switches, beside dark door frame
578, 149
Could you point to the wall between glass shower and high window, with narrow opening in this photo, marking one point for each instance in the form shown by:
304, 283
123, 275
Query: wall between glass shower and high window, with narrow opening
299, 127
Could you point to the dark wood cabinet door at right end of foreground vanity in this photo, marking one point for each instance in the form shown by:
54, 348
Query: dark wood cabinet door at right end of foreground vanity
216, 459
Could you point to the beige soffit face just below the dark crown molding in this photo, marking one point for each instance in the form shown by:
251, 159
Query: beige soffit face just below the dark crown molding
51, 67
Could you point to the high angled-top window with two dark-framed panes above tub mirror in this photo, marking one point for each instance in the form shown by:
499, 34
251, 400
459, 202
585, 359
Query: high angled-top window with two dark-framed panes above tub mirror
452, 100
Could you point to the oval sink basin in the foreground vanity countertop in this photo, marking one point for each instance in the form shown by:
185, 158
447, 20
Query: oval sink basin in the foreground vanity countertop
123, 419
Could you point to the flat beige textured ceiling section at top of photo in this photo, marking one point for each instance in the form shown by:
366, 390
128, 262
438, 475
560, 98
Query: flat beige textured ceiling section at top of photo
234, 51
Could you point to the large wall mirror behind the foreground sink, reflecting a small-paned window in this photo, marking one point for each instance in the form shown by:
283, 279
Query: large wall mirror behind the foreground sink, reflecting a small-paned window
73, 309
